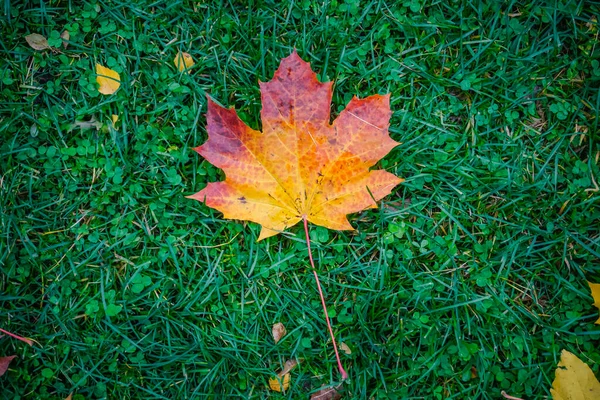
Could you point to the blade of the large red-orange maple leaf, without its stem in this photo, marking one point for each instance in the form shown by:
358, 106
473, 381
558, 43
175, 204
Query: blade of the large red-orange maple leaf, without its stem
301, 166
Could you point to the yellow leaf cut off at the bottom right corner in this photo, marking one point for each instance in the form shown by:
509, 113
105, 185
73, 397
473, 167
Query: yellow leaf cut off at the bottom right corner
574, 380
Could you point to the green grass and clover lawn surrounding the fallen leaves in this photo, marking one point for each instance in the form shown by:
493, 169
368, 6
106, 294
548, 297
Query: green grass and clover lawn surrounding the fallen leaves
469, 280
